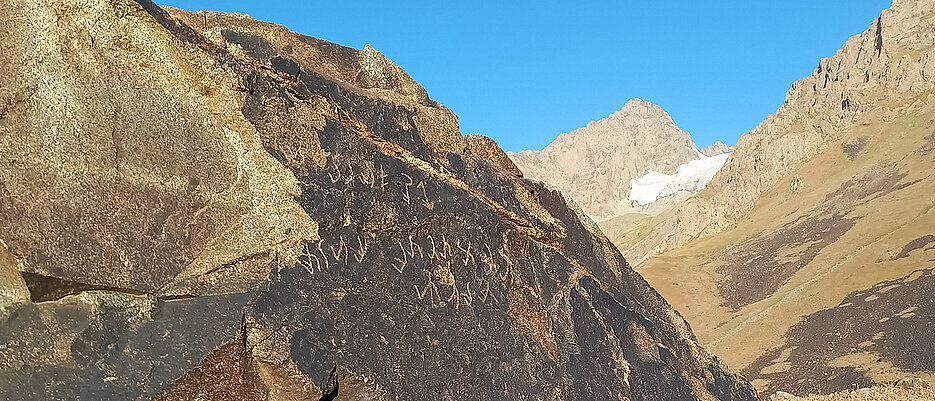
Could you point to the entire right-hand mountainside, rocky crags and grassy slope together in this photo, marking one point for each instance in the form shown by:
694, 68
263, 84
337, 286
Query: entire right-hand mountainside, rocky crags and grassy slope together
808, 260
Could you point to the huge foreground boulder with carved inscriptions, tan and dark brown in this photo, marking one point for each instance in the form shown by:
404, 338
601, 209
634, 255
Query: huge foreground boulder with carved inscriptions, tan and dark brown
312, 237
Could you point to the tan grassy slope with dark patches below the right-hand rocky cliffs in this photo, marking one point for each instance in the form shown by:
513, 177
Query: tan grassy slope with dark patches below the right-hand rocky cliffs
751, 292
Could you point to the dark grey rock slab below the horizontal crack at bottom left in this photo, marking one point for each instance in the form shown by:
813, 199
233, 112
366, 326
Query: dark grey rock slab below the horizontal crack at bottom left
103, 345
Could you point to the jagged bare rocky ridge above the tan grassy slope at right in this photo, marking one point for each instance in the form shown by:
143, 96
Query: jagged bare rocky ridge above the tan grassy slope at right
886, 66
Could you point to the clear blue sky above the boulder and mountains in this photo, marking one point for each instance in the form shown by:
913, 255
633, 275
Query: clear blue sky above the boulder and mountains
524, 71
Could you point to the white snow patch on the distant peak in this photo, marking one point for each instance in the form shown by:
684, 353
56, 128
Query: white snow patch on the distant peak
692, 177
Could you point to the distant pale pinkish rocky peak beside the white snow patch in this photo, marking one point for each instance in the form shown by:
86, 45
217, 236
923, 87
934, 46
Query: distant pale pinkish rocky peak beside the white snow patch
594, 164
